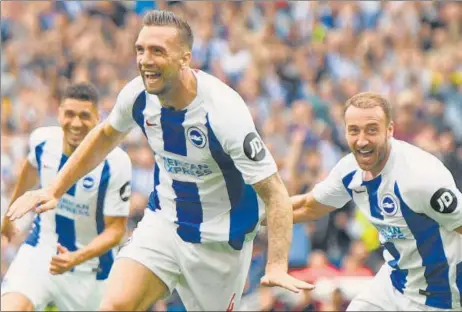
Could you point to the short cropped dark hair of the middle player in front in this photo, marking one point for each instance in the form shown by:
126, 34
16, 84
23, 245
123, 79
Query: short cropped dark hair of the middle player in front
168, 18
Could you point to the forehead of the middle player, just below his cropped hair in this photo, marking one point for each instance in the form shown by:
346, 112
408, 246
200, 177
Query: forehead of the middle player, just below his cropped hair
157, 36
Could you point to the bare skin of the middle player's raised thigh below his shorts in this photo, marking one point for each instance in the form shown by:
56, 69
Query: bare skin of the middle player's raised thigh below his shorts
132, 287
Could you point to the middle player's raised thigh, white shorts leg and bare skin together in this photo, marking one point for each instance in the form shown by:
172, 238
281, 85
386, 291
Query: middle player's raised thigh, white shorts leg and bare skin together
147, 264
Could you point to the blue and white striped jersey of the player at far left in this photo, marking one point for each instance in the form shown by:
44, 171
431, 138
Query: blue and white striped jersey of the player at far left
79, 217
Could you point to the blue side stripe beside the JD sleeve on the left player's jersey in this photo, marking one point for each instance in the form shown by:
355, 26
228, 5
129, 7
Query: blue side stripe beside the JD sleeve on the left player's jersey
105, 260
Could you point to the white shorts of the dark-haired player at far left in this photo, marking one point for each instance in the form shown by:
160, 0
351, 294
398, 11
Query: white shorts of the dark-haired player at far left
29, 275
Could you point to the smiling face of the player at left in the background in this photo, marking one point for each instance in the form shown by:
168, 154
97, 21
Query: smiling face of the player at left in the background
76, 118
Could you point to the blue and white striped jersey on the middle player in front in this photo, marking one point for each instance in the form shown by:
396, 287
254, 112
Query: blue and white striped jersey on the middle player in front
207, 157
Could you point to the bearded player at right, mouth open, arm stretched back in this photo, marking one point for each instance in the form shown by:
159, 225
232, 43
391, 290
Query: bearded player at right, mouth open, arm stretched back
412, 199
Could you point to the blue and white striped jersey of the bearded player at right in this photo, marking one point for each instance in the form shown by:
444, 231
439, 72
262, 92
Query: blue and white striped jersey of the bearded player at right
415, 205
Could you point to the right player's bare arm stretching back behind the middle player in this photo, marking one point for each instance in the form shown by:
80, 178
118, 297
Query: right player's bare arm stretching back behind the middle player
306, 208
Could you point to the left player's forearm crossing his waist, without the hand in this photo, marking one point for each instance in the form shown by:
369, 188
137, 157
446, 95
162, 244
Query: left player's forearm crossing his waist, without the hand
105, 241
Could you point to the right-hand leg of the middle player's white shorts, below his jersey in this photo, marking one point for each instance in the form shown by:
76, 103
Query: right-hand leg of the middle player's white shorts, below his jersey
214, 276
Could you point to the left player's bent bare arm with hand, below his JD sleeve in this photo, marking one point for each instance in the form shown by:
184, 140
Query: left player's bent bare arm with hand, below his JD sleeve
113, 233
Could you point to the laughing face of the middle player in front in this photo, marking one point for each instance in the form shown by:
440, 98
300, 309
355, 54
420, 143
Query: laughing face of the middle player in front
158, 55
